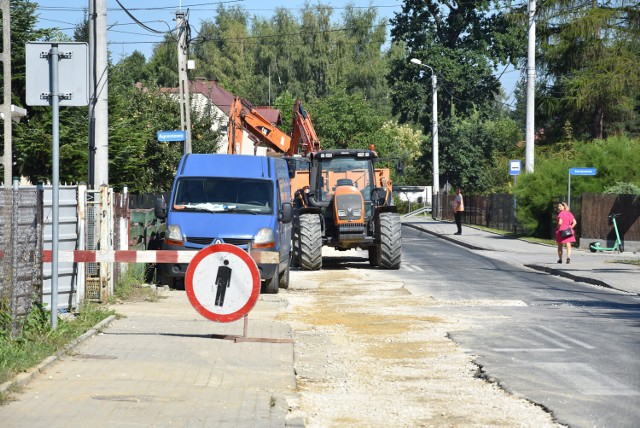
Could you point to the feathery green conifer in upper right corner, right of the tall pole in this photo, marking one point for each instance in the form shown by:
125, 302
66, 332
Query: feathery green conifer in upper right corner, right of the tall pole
589, 66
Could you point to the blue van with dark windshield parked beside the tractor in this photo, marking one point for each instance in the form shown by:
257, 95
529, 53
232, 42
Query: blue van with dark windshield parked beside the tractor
242, 200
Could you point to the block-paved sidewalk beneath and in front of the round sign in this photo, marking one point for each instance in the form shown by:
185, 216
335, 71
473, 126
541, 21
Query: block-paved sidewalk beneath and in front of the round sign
165, 365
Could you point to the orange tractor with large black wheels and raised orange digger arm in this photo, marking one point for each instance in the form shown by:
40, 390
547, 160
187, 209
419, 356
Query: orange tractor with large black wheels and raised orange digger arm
341, 200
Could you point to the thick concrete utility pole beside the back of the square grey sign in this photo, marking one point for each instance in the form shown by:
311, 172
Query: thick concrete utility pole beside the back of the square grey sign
99, 88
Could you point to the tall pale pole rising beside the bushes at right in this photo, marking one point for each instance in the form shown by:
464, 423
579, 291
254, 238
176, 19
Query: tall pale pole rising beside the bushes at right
531, 88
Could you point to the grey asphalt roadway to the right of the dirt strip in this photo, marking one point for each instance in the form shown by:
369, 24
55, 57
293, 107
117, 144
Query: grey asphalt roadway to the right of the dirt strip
570, 347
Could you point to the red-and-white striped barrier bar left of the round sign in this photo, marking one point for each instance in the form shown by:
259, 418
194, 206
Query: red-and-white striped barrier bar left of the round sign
120, 256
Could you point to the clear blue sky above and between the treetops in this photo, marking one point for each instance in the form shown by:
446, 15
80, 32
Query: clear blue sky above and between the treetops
125, 36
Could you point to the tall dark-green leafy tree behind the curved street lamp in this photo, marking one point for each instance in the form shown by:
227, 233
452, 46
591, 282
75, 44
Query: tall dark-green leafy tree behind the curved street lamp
462, 42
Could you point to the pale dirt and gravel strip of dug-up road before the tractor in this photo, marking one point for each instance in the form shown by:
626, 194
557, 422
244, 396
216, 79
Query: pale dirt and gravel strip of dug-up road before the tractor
369, 353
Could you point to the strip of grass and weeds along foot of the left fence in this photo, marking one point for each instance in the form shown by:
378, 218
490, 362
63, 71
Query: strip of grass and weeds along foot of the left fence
37, 340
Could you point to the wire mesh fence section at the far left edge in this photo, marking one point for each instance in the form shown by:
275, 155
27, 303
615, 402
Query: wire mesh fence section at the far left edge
20, 252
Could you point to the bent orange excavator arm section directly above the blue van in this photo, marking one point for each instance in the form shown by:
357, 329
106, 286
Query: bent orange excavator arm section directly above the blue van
243, 115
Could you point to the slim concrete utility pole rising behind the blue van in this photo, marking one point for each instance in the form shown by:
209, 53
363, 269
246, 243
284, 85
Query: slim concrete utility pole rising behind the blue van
183, 78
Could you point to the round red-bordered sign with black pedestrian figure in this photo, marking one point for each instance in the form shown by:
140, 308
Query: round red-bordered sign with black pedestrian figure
222, 282
